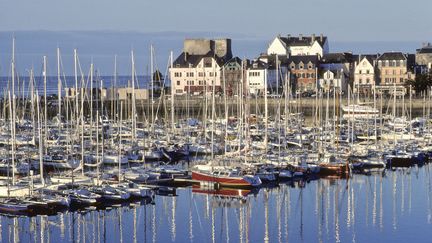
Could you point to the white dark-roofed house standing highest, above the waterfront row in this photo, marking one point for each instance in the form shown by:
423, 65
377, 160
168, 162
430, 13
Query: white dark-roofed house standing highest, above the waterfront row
299, 46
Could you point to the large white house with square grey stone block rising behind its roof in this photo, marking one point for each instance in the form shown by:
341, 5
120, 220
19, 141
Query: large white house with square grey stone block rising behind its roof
198, 68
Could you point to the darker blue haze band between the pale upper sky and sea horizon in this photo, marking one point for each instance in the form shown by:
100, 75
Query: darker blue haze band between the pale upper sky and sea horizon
101, 46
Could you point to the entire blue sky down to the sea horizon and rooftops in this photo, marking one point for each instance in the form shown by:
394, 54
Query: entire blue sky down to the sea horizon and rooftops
100, 29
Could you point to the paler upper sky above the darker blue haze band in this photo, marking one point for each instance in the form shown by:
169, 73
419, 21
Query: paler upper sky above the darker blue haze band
343, 20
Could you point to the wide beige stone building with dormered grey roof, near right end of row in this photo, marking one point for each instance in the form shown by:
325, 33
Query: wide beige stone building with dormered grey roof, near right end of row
394, 68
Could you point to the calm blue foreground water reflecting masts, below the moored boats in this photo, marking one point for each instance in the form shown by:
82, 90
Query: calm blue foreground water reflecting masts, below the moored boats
392, 207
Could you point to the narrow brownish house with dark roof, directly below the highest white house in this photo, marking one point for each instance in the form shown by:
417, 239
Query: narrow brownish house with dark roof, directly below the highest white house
303, 72
